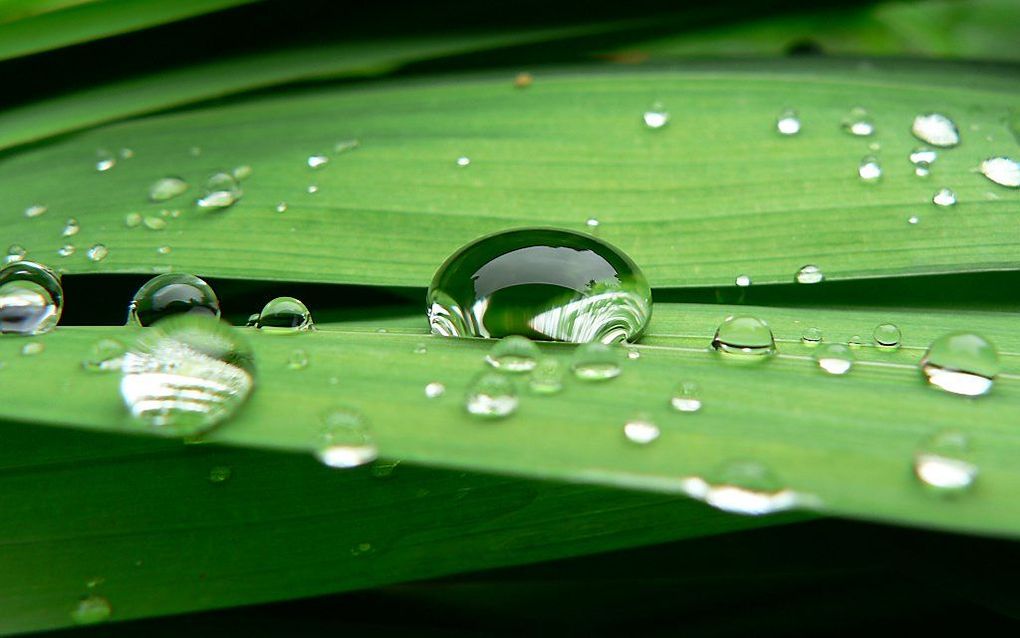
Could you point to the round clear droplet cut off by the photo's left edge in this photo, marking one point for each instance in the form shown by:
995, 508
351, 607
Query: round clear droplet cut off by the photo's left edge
31, 299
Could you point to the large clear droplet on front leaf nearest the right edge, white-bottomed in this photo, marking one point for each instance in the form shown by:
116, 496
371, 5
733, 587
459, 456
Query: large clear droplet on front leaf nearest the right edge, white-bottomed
961, 364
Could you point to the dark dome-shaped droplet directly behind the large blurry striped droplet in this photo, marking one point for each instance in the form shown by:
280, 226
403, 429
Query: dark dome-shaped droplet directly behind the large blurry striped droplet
172, 293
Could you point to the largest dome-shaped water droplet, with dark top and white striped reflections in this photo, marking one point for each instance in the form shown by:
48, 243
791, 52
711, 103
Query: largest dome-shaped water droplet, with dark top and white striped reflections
543, 284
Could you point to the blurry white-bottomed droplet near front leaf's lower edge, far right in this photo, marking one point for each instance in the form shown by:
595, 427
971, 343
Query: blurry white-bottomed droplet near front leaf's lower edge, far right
945, 464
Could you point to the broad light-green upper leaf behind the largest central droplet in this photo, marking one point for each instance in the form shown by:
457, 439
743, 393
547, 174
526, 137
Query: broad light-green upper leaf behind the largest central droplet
716, 194
